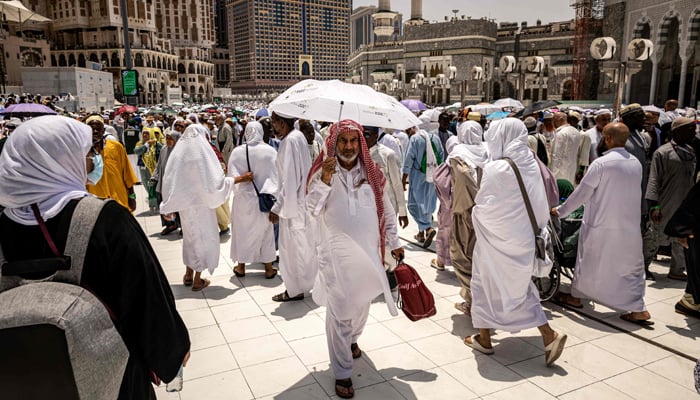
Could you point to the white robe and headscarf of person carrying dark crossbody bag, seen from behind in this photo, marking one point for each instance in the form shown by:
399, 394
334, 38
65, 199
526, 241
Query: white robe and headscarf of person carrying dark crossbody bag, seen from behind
253, 236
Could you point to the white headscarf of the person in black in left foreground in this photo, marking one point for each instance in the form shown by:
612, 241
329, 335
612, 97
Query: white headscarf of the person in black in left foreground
43, 162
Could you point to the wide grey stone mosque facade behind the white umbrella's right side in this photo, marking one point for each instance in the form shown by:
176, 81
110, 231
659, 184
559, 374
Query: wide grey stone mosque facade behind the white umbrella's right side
458, 59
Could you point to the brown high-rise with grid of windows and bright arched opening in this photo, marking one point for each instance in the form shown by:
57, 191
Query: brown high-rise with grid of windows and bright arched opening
275, 43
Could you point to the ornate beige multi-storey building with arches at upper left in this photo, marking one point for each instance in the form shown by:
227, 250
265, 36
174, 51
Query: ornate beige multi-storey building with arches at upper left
171, 42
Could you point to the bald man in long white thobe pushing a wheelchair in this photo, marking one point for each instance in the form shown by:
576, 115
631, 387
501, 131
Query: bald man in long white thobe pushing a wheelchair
610, 266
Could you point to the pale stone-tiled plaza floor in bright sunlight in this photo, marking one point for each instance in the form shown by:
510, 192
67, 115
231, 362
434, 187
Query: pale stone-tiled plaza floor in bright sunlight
245, 346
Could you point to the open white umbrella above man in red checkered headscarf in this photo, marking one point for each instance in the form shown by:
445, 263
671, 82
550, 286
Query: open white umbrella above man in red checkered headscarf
335, 100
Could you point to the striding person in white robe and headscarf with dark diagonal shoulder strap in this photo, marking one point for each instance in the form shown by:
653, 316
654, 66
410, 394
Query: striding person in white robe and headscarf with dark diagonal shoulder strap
503, 295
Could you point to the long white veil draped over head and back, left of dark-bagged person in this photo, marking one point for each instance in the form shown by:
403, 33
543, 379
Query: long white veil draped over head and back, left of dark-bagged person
193, 176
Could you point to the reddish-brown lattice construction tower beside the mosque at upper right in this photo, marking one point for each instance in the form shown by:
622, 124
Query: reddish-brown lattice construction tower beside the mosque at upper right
588, 14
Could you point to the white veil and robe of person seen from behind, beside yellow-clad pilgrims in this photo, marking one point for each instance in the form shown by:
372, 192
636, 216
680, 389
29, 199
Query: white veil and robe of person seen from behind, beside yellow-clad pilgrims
194, 185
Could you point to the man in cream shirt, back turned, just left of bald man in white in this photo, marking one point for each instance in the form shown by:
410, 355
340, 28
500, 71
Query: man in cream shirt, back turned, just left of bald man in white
566, 159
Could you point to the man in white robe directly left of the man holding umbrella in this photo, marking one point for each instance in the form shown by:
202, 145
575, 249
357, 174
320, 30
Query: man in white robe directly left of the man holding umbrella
297, 263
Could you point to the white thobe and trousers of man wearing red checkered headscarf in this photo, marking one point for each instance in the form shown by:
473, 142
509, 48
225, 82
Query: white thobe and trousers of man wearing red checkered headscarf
351, 273
